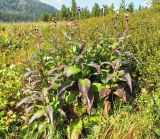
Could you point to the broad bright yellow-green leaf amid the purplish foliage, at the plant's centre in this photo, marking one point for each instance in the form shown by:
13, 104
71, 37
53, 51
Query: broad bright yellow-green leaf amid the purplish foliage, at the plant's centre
68, 71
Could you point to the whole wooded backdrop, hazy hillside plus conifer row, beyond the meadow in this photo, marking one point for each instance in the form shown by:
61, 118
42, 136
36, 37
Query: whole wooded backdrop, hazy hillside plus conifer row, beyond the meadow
34, 10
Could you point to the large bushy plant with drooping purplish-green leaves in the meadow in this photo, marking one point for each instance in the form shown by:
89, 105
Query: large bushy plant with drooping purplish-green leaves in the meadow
67, 85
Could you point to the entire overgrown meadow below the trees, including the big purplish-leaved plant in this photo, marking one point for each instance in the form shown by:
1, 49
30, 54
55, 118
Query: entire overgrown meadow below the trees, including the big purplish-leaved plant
96, 78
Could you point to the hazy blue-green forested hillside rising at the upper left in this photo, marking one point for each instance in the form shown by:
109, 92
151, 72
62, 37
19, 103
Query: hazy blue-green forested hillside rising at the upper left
23, 10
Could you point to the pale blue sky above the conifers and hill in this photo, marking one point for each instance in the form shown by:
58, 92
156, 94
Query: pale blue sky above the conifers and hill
89, 3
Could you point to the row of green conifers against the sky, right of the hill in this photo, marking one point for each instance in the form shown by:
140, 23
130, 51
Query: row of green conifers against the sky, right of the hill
67, 13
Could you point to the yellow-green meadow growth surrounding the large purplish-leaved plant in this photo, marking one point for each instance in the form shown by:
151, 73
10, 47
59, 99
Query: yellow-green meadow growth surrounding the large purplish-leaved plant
137, 119
